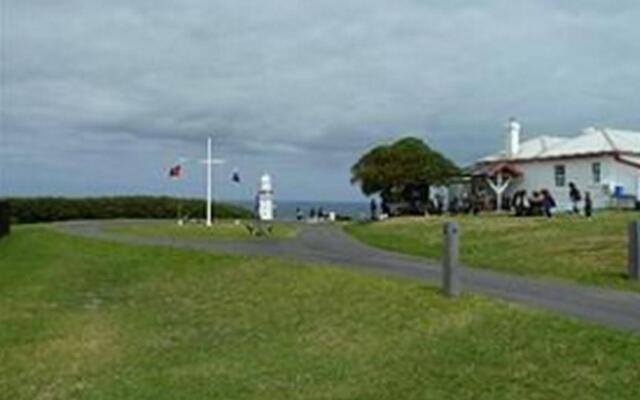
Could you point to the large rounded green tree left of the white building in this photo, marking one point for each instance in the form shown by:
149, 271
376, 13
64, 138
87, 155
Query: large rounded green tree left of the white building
402, 171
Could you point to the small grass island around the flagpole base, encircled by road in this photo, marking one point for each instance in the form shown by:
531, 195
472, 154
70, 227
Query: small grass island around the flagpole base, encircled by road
220, 230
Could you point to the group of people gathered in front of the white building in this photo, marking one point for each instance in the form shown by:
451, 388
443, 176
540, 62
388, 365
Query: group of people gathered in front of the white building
542, 203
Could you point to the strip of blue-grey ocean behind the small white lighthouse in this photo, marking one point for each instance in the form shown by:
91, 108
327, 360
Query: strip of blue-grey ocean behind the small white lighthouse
286, 210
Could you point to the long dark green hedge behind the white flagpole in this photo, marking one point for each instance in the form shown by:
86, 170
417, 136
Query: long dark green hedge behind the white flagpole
48, 209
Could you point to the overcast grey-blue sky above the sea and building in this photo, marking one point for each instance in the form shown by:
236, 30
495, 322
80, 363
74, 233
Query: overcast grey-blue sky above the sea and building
101, 97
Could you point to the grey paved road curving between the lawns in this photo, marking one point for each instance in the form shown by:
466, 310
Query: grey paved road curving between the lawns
329, 244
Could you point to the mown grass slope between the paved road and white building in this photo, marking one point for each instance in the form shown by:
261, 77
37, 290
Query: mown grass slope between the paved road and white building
592, 251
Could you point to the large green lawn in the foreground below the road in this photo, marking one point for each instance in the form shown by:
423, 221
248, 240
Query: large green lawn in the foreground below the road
83, 319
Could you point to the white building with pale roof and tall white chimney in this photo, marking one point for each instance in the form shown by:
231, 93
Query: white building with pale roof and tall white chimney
605, 162
